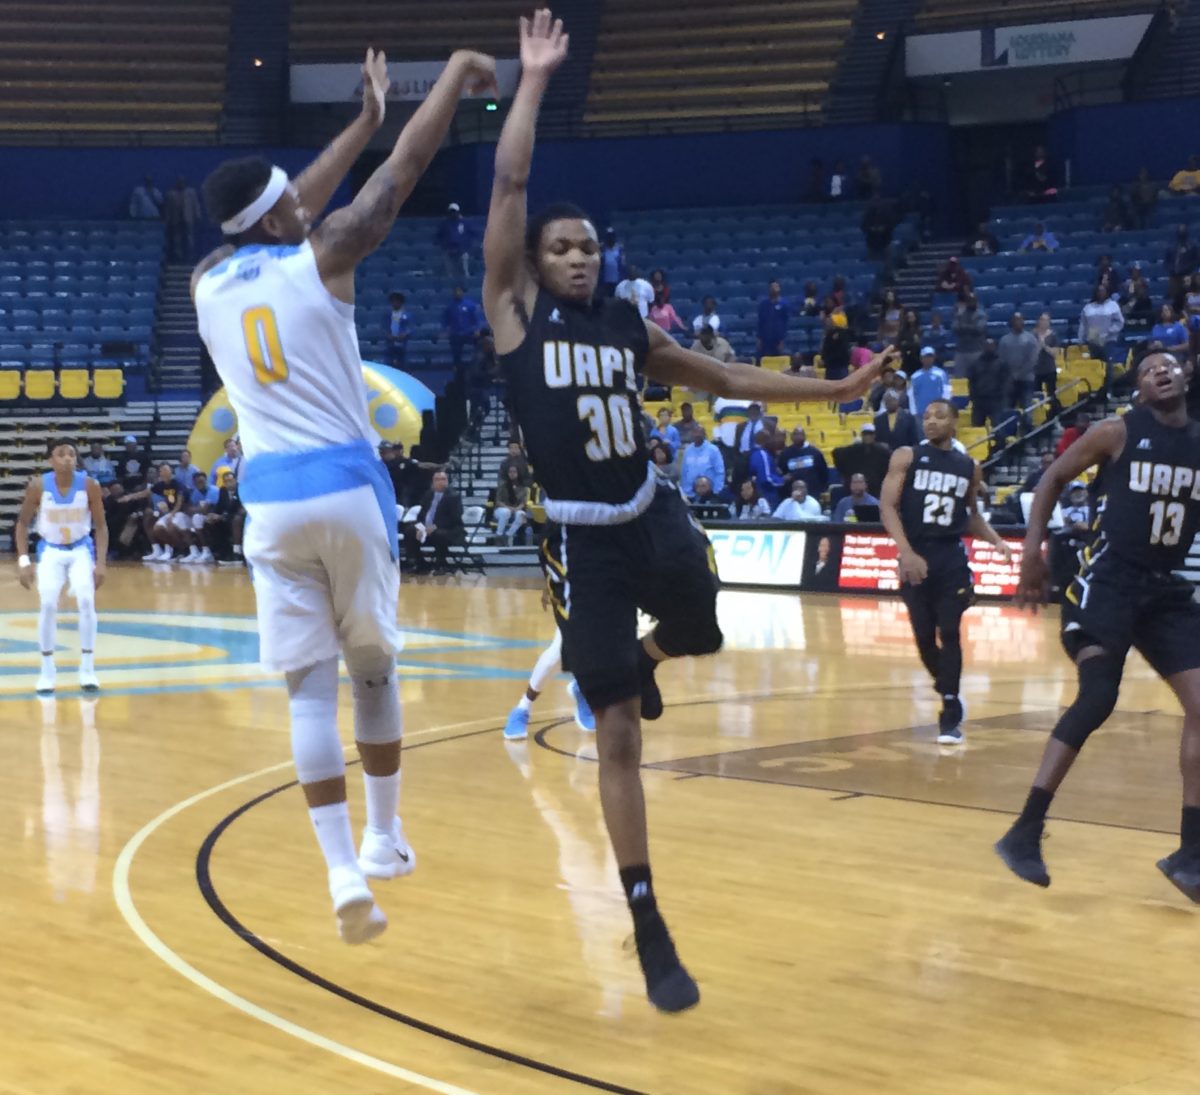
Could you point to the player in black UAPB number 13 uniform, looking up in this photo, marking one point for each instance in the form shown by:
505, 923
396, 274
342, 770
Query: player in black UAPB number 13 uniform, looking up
1148, 505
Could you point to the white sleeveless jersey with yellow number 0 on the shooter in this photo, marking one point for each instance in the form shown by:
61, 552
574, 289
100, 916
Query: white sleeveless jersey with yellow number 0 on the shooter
286, 349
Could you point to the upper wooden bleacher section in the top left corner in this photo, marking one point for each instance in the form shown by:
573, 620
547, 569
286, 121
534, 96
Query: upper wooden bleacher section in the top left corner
112, 71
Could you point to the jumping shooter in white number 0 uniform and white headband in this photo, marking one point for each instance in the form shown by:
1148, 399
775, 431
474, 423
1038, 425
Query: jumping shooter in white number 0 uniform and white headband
275, 308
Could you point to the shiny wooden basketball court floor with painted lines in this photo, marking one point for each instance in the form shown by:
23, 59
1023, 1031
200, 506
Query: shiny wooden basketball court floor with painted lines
826, 867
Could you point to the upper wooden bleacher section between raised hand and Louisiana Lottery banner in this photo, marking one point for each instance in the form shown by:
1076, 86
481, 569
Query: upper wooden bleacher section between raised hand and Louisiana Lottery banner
712, 64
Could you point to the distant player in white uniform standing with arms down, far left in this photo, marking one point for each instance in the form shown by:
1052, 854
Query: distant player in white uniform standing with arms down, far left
69, 510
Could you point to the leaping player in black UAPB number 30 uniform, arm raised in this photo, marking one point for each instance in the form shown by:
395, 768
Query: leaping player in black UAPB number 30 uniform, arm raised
572, 366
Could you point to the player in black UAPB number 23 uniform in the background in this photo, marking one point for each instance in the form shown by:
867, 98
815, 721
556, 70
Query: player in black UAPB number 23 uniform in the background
928, 505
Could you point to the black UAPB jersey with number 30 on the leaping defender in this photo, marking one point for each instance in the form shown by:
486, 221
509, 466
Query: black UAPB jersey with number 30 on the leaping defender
573, 386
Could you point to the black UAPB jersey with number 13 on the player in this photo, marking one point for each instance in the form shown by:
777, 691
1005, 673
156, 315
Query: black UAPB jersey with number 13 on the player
1148, 501
